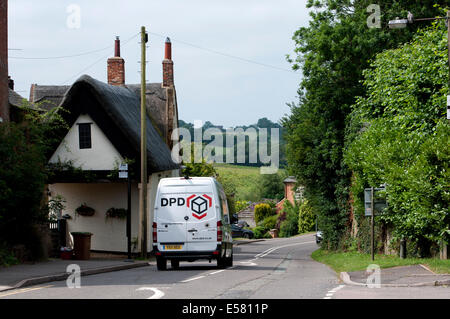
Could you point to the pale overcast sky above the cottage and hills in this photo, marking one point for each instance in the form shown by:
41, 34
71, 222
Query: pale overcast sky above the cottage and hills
218, 88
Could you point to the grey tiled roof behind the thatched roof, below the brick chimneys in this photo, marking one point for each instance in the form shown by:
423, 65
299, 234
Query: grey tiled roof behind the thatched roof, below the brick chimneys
50, 96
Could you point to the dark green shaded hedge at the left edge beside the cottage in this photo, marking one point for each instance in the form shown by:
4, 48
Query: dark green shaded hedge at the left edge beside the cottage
23, 149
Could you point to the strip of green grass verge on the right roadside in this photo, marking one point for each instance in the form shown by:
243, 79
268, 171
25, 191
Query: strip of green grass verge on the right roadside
354, 261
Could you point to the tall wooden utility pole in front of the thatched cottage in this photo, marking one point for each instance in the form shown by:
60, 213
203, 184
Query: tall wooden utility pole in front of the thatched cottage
144, 177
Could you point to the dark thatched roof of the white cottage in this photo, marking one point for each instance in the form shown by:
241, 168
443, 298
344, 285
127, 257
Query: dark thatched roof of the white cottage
116, 110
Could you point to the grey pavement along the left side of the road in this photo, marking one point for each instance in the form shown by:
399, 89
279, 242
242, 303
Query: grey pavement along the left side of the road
54, 269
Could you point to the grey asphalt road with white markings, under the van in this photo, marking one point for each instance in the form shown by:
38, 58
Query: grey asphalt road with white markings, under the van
272, 269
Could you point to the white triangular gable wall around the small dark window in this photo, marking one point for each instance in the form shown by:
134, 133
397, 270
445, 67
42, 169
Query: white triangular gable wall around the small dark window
102, 156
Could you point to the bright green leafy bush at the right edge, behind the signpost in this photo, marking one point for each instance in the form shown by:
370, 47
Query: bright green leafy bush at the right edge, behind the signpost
399, 136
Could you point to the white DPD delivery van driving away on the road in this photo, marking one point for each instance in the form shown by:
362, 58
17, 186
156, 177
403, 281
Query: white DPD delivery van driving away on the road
191, 222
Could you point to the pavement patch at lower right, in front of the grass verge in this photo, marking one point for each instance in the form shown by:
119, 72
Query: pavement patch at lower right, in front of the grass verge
403, 276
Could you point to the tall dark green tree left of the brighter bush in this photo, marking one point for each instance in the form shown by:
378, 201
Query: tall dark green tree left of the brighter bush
332, 53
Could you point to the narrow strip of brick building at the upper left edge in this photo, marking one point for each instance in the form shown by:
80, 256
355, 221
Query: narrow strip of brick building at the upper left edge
4, 103
